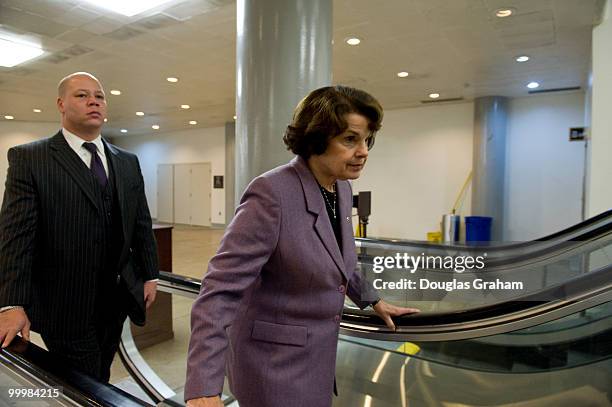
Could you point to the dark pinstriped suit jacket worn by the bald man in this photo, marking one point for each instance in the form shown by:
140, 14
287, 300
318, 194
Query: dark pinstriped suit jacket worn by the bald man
51, 228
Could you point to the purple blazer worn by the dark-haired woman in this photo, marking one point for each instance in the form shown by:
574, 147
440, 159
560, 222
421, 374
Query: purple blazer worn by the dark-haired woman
271, 301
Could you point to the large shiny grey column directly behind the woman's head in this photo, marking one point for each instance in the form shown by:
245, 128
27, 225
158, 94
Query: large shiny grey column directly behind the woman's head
283, 51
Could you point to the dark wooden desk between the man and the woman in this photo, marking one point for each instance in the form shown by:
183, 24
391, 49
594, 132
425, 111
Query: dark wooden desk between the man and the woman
159, 316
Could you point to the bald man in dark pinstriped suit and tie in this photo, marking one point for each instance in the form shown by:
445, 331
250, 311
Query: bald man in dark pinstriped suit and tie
77, 252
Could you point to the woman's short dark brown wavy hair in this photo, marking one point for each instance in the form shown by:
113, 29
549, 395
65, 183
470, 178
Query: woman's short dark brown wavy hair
320, 116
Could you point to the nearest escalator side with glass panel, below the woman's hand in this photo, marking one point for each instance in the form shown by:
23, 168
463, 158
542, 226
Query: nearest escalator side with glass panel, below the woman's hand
534, 355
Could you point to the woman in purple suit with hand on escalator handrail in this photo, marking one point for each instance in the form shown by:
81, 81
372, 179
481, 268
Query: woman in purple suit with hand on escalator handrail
271, 302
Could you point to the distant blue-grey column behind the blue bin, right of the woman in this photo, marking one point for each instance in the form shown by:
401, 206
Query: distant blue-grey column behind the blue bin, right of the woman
489, 160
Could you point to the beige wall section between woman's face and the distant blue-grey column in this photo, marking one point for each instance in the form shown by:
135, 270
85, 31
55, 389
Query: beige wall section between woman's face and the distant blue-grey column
420, 161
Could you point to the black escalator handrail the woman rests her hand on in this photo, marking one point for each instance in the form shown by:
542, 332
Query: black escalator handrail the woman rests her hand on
576, 294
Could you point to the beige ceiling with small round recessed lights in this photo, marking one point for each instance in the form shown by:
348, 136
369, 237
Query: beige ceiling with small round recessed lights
456, 48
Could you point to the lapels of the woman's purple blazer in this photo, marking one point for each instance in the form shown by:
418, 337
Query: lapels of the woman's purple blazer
316, 206
